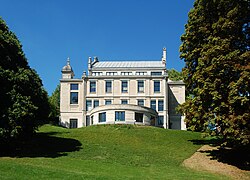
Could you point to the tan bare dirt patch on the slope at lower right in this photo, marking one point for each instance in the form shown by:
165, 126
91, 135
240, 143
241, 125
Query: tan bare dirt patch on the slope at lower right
202, 162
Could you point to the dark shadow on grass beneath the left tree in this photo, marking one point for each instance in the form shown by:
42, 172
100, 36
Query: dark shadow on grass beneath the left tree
40, 145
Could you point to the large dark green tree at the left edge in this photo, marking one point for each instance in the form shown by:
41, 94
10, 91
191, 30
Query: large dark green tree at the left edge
24, 102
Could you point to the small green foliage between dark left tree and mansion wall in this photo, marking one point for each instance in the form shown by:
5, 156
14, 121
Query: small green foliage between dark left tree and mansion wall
54, 101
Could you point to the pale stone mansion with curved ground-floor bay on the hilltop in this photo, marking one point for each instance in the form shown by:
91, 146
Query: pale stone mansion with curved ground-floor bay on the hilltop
121, 92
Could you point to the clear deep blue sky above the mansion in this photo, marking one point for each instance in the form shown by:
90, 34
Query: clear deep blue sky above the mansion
52, 30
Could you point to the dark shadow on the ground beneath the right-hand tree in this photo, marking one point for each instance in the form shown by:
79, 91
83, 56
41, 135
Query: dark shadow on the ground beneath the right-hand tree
239, 157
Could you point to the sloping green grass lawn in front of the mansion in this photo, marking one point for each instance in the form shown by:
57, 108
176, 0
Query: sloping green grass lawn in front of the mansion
103, 152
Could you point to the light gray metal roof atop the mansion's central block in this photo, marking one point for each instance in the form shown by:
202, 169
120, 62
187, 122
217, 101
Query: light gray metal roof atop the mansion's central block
129, 64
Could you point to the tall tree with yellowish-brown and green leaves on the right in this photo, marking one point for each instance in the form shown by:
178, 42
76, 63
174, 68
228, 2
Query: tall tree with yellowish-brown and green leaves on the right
215, 48
